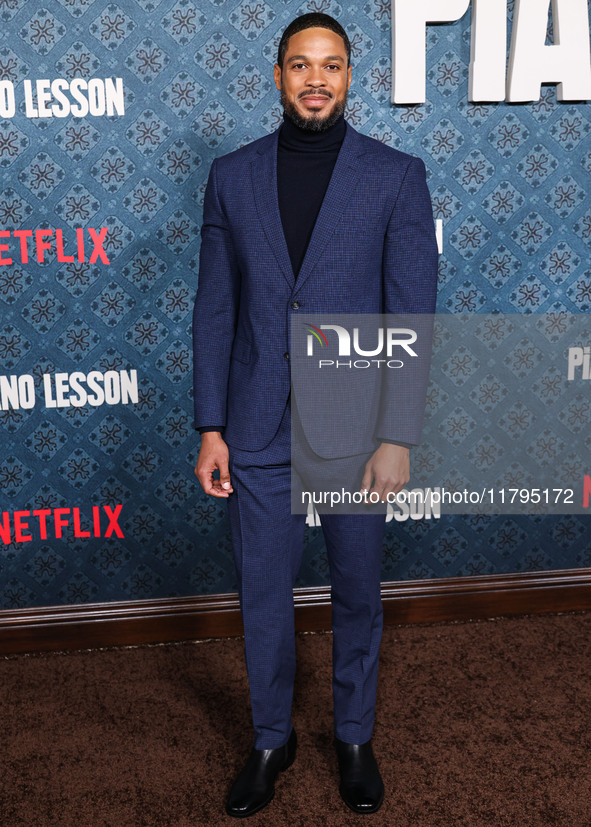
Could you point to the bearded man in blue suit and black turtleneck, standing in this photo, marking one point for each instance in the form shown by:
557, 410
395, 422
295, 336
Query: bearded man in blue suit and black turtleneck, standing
314, 218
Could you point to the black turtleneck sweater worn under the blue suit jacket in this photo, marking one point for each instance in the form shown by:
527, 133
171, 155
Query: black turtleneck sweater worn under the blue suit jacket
305, 161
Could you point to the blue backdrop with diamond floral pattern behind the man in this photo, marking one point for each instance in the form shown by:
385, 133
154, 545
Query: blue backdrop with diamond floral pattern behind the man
508, 181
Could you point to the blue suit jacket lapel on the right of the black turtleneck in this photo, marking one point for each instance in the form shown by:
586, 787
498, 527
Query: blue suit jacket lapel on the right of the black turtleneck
344, 177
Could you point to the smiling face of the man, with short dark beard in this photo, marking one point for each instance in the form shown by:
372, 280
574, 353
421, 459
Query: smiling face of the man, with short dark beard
315, 78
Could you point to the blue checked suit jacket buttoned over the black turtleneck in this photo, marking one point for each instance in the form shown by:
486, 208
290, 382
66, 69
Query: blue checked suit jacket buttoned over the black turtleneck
373, 250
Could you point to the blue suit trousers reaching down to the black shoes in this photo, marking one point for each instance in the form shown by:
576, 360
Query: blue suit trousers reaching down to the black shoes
268, 542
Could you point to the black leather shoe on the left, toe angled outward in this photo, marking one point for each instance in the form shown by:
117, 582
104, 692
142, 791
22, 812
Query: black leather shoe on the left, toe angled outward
255, 785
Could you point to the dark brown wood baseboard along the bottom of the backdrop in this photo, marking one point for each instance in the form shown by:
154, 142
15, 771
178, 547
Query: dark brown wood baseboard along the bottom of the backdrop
137, 622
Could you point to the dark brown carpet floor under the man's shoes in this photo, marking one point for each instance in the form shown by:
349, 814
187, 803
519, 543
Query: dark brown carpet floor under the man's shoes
484, 723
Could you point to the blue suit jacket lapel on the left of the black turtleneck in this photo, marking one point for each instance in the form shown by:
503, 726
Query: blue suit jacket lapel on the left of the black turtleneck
264, 182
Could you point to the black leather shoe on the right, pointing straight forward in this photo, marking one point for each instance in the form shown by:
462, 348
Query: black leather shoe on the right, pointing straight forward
362, 788
